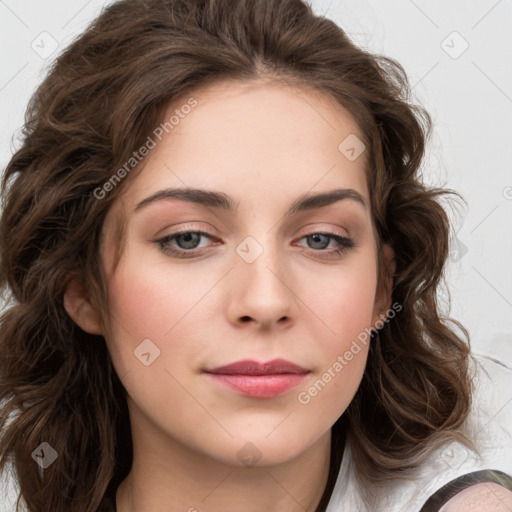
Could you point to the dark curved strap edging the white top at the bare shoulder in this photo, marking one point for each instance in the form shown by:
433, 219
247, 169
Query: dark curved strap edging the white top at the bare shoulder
448, 491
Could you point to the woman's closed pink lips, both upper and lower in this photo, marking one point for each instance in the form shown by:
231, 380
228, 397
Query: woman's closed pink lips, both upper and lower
259, 380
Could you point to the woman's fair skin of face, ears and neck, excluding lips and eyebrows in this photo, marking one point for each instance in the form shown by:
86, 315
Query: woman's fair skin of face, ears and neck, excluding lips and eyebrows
265, 145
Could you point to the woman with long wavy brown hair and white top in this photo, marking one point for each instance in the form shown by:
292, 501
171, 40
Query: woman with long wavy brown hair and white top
223, 269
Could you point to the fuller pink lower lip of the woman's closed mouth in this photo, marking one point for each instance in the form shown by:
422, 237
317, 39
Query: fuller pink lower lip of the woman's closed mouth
259, 386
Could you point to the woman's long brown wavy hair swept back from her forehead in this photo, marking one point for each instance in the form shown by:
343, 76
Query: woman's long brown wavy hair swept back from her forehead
98, 103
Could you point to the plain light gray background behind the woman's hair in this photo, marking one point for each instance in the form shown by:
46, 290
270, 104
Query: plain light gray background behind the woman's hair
467, 91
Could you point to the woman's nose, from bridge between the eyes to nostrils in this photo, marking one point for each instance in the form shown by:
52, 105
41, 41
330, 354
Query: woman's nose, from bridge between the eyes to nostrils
261, 291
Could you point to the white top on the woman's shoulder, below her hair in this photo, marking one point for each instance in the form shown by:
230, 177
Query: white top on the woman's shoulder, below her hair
490, 427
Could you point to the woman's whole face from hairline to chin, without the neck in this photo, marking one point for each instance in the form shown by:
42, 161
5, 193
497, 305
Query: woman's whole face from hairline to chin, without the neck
274, 277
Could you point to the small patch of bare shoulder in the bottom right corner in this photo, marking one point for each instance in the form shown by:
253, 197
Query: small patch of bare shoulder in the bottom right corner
483, 497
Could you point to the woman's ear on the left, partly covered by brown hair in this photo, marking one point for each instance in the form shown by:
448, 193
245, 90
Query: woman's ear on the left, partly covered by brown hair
79, 307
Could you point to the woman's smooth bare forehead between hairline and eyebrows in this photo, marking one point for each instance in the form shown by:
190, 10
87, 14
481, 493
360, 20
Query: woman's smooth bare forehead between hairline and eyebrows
251, 139
